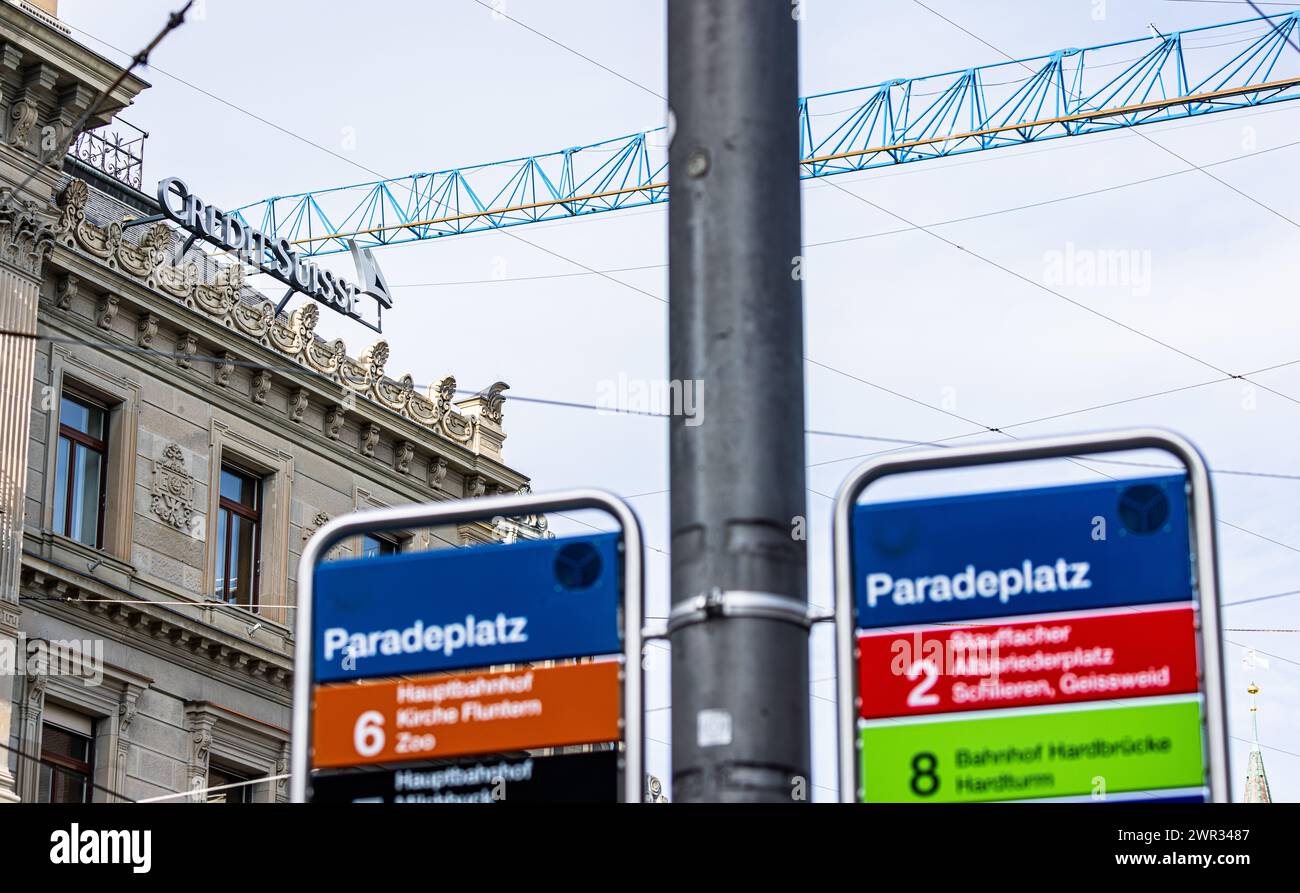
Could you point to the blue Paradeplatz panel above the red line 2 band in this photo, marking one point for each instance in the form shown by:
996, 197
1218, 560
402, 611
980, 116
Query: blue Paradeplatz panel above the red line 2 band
1024, 552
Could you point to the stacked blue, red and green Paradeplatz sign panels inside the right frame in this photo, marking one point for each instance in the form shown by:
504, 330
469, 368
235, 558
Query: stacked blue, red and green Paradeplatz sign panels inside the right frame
1041, 644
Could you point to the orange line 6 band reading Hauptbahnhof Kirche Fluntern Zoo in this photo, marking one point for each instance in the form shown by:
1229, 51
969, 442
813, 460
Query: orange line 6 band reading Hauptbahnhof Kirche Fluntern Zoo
476, 713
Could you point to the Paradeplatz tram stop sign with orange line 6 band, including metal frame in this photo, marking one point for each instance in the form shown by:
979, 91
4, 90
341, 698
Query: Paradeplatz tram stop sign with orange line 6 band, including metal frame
432, 675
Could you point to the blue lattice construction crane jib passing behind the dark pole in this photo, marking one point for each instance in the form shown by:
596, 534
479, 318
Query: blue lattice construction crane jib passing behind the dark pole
1068, 93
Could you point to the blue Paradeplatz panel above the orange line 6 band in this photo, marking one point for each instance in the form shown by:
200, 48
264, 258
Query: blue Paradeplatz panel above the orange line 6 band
452, 609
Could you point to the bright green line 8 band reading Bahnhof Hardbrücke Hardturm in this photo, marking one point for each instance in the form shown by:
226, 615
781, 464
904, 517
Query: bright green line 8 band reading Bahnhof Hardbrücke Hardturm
1034, 755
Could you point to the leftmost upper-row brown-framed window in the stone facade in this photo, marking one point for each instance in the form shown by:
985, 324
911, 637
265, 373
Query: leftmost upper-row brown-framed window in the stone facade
81, 489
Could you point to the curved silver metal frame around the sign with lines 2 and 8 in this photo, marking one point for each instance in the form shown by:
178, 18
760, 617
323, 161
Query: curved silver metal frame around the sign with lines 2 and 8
1202, 509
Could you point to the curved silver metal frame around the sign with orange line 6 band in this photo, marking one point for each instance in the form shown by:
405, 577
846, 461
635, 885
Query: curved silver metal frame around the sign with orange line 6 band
457, 513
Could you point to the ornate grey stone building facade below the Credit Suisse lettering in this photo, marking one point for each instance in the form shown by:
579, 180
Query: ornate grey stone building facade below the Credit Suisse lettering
168, 444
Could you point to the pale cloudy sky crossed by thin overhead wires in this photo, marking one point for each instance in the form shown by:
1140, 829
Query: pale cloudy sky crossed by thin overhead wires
257, 99
